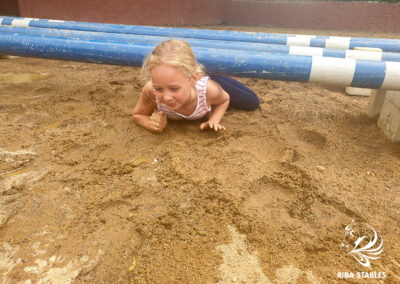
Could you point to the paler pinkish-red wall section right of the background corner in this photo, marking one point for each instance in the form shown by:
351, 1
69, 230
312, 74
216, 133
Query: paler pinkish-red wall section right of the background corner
376, 17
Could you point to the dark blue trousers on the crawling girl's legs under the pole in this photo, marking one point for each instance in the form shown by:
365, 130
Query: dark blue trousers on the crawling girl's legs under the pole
241, 97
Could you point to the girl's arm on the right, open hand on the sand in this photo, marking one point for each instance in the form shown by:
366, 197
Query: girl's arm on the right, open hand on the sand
219, 101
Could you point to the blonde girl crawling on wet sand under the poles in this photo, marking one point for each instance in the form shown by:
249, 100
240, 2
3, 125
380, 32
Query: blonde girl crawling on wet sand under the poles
178, 88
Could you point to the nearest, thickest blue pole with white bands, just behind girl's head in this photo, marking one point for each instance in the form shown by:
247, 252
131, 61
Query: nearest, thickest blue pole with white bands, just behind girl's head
345, 72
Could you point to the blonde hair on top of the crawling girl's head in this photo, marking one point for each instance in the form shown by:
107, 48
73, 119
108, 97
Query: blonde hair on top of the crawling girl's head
176, 53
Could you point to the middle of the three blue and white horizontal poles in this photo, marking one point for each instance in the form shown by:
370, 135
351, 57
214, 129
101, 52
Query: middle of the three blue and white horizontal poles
276, 48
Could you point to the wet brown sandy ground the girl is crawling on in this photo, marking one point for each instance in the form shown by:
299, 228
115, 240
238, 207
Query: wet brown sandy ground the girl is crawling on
87, 196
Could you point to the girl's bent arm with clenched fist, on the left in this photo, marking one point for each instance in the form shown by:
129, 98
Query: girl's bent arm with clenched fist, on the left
144, 114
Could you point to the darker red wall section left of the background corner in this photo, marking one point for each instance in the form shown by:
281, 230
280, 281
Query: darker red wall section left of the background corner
149, 12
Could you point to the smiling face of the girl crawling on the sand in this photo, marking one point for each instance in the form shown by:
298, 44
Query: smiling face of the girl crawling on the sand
172, 87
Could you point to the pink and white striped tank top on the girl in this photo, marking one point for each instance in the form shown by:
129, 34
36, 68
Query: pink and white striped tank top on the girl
201, 109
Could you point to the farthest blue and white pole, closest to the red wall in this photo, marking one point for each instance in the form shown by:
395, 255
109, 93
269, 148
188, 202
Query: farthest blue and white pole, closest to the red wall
387, 45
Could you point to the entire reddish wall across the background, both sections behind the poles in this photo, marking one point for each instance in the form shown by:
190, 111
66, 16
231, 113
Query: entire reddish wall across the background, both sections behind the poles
358, 16
